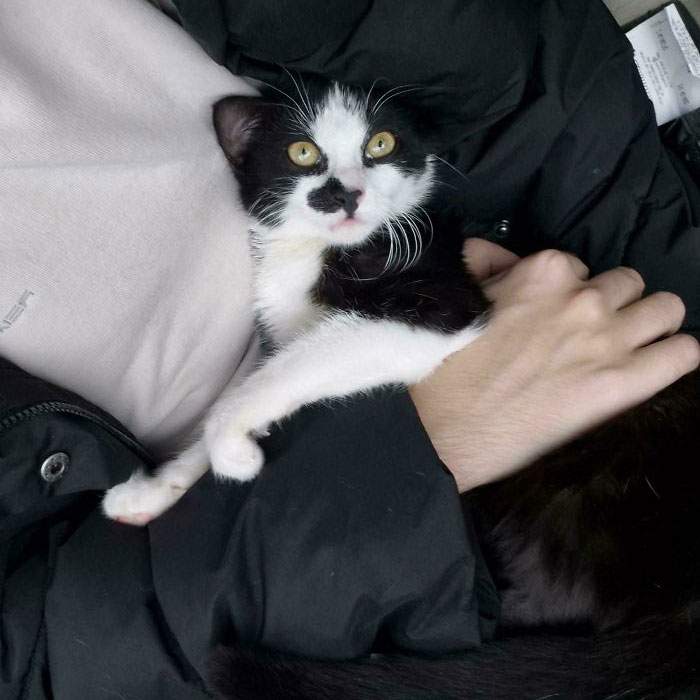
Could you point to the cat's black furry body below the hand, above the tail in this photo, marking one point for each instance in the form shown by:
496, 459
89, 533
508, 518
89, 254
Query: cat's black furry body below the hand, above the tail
614, 513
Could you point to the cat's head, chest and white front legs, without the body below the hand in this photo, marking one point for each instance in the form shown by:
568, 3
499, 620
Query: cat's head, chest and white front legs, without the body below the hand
352, 286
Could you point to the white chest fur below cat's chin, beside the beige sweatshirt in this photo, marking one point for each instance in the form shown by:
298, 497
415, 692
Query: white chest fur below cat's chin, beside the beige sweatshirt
285, 271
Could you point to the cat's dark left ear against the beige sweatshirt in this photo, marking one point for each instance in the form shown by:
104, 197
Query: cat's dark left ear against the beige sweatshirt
237, 120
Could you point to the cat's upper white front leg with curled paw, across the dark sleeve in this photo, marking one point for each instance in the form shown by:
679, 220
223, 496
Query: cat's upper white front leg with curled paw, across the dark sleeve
344, 354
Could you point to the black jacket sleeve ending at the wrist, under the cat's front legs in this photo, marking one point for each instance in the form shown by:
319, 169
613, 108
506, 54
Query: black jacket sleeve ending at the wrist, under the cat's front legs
351, 537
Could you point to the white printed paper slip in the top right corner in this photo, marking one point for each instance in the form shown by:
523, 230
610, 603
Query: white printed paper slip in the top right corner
669, 63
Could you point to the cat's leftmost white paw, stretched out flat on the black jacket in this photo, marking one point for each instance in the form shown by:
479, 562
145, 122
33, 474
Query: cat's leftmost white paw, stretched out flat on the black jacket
140, 500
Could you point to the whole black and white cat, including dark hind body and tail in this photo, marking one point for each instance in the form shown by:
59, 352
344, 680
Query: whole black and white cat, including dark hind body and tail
354, 290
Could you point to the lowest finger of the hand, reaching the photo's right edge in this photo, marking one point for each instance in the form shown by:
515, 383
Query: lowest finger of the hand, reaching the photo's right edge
658, 365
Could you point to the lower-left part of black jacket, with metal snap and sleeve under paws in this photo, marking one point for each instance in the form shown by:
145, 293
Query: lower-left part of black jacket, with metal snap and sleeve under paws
353, 536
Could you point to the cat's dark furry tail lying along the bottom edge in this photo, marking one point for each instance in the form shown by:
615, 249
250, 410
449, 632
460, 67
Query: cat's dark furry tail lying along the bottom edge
655, 659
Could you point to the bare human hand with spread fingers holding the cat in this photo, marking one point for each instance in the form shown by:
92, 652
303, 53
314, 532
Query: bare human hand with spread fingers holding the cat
560, 355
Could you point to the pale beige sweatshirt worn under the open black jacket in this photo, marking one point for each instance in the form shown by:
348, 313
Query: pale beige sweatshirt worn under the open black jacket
124, 271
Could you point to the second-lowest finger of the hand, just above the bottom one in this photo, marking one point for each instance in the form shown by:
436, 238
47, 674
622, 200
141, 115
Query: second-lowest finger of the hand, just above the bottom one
651, 318
